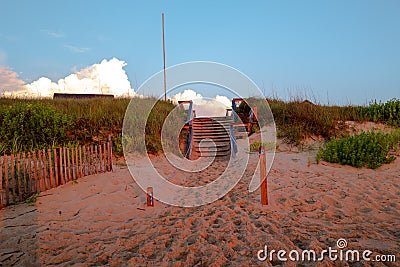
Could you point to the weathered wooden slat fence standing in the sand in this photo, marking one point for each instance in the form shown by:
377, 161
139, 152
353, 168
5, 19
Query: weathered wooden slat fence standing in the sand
26, 174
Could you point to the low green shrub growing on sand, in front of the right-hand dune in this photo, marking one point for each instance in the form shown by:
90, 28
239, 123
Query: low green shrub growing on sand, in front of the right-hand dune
370, 149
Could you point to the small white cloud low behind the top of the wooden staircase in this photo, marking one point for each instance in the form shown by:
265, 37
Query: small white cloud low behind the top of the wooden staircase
204, 107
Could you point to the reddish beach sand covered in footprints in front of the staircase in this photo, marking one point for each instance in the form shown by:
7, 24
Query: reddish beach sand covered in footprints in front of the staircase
102, 220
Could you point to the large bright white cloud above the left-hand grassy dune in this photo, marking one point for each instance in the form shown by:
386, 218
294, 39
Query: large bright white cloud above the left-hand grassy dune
107, 77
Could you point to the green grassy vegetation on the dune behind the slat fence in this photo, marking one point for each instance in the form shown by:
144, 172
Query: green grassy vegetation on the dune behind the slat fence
29, 124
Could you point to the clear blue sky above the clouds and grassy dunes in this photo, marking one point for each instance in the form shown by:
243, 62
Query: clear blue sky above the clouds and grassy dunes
337, 51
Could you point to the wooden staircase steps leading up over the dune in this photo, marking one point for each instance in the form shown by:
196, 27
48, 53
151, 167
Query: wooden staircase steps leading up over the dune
211, 137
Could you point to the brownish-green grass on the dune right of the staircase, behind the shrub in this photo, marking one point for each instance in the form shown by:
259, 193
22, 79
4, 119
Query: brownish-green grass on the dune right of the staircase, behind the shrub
298, 119
